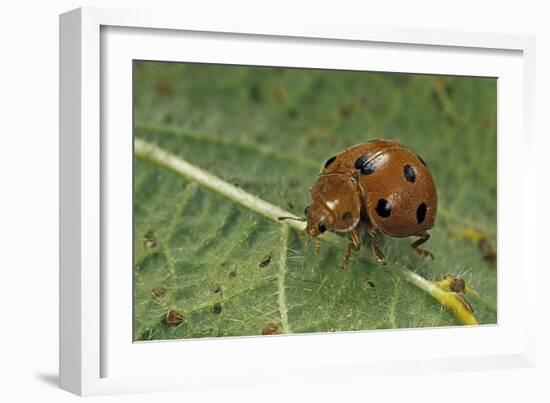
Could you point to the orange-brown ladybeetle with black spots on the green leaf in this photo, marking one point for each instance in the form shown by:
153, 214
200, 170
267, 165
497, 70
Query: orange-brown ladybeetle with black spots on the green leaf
383, 185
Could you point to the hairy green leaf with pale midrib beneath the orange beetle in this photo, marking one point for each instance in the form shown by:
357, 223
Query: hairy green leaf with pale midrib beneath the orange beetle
208, 264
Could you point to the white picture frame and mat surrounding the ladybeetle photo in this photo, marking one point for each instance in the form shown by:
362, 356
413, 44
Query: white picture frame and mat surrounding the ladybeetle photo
96, 354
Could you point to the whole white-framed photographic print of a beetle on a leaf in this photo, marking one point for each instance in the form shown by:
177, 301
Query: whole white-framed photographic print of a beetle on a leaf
255, 194
